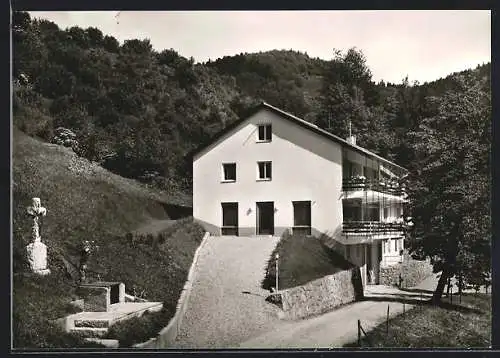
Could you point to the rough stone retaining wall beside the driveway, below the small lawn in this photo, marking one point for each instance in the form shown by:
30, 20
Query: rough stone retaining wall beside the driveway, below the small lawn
322, 295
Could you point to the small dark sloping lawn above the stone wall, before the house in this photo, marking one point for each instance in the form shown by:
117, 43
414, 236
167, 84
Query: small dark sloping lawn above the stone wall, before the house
302, 259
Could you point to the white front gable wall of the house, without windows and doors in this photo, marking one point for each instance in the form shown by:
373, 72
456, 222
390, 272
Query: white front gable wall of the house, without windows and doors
305, 166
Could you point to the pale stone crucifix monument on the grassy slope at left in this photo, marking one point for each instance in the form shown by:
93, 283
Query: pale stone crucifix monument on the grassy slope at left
37, 250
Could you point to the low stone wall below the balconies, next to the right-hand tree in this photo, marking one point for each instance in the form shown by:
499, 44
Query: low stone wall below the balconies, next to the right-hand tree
412, 272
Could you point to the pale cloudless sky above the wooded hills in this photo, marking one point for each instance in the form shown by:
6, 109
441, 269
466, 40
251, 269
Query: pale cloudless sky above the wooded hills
423, 45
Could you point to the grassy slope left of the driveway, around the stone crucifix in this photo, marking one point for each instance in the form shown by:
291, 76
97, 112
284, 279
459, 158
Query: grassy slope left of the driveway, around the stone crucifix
86, 202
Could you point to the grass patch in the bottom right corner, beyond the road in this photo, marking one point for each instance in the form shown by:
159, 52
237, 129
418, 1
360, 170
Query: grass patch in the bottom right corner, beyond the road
460, 325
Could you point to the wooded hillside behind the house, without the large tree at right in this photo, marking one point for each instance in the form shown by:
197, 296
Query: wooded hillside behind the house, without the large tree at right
140, 112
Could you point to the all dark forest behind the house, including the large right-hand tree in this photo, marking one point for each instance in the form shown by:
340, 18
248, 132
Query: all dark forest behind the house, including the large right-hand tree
139, 112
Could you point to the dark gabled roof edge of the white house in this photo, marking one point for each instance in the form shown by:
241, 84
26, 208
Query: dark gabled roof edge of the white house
302, 123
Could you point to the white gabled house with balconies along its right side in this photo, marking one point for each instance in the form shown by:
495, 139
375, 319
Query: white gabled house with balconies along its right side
271, 172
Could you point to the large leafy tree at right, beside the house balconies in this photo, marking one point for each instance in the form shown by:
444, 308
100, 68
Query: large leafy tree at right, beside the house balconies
449, 184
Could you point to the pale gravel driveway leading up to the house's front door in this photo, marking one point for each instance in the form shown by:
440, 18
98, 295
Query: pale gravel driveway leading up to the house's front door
227, 305
